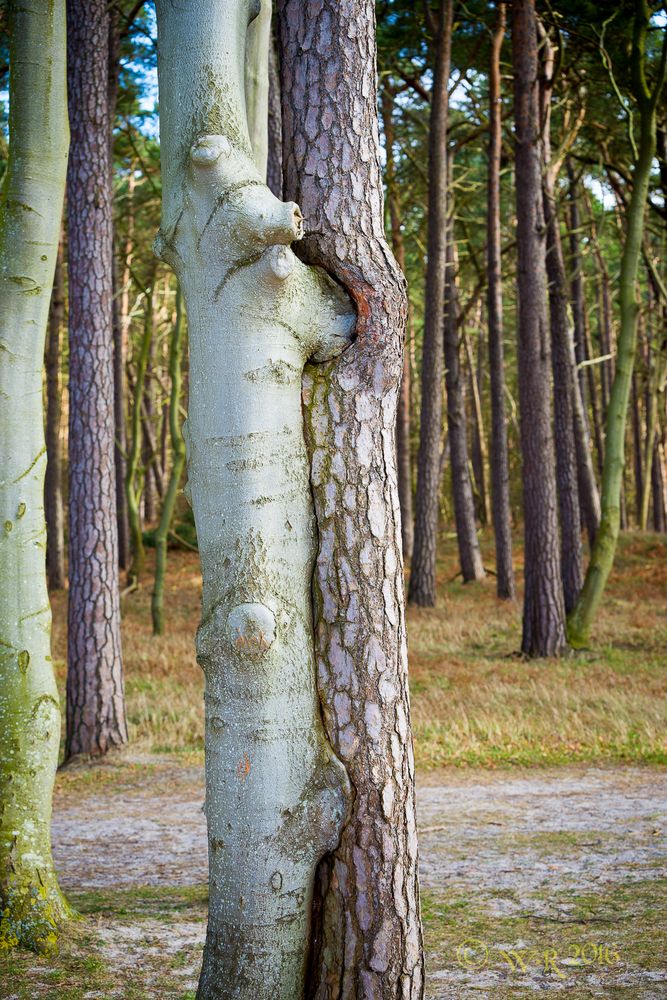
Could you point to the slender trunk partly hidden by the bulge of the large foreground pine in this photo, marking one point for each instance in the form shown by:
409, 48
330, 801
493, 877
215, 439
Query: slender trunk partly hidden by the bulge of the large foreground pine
404, 464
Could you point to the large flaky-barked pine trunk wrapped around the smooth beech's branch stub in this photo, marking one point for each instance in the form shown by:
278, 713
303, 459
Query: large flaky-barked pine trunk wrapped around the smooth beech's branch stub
368, 938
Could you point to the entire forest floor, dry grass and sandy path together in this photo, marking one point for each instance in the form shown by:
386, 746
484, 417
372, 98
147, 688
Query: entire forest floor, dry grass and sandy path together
544, 832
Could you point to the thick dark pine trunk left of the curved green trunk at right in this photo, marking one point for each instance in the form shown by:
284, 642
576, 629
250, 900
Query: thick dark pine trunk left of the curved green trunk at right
543, 608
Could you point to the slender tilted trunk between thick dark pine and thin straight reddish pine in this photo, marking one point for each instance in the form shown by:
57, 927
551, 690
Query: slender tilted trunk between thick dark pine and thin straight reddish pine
470, 556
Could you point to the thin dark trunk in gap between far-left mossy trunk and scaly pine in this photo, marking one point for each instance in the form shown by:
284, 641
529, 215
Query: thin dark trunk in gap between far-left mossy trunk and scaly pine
53, 488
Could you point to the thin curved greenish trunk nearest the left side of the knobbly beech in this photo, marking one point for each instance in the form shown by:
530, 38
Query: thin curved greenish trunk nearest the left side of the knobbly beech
177, 467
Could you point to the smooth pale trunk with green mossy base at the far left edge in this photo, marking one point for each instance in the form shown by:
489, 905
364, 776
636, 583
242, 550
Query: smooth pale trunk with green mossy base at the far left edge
31, 208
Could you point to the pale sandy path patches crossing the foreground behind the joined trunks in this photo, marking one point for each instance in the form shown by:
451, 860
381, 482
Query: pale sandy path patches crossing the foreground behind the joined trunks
518, 842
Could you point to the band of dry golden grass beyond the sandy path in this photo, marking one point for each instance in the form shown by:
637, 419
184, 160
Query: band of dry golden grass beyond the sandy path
473, 700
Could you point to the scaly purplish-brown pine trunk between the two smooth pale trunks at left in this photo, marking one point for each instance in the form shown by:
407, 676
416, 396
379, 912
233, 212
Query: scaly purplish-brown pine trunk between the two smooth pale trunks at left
95, 696
